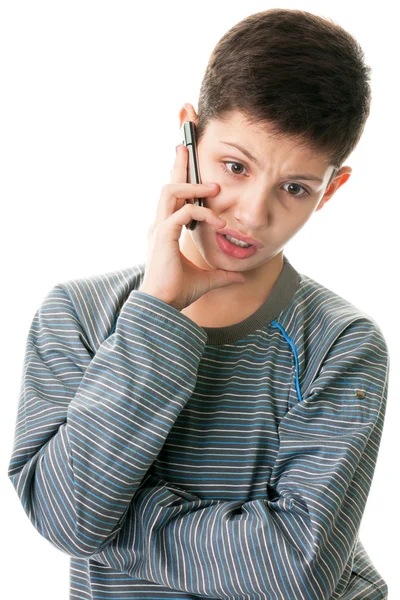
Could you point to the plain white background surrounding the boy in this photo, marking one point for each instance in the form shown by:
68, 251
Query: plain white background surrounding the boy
90, 95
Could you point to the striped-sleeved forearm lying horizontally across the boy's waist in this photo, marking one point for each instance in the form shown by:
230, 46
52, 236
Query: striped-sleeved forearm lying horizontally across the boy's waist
222, 549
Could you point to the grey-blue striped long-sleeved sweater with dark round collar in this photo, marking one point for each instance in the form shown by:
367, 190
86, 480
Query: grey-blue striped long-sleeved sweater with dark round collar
170, 460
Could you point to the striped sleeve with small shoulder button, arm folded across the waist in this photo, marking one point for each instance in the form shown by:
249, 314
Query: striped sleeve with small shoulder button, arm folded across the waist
297, 541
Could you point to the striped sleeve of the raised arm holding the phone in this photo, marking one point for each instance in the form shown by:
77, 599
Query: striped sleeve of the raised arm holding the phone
90, 424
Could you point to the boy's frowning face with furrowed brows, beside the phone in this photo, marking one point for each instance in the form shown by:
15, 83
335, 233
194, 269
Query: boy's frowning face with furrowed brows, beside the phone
269, 202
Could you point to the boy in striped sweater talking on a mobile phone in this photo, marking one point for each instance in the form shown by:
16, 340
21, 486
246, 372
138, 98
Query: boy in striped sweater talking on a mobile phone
207, 424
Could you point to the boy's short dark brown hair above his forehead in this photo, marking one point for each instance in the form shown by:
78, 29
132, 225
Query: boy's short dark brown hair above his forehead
302, 73
